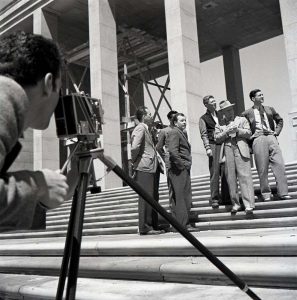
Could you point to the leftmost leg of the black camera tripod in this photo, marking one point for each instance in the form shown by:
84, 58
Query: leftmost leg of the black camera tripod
67, 249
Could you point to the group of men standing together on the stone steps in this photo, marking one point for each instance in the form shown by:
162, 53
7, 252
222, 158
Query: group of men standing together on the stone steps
229, 141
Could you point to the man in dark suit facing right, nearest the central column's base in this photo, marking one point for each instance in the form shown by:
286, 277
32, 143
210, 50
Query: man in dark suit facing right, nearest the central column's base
180, 158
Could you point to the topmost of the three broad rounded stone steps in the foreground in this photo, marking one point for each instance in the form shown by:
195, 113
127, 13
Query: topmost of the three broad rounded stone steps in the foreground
240, 242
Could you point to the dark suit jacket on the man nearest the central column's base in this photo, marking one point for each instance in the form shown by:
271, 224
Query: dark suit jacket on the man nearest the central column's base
179, 150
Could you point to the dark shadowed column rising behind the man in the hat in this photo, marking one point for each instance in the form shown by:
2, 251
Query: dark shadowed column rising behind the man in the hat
233, 78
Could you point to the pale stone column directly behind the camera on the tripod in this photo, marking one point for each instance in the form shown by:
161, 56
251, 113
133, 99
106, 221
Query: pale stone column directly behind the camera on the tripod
104, 81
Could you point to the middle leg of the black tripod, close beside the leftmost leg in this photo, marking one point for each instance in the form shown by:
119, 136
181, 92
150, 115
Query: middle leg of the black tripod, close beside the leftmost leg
77, 230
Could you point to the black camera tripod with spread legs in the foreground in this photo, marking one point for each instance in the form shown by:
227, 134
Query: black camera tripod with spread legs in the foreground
73, 239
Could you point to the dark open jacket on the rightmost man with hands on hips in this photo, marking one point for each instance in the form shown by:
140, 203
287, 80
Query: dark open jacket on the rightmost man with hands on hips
272, 116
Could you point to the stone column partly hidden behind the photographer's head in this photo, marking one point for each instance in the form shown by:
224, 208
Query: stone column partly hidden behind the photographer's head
45, 143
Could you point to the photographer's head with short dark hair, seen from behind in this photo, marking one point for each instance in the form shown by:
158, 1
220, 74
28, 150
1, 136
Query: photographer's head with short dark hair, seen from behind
35, 63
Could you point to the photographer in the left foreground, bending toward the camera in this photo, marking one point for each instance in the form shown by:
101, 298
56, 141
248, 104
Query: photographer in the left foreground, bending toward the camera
30, 81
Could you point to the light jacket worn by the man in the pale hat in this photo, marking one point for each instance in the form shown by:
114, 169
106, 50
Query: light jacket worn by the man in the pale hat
242, 136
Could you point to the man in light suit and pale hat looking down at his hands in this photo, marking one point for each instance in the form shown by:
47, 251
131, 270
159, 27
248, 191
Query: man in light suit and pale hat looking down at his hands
234, 134
